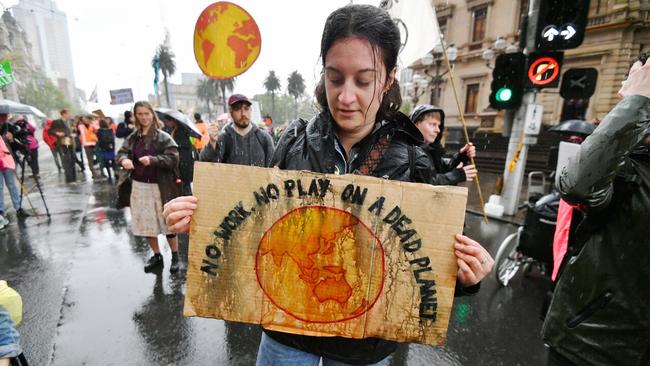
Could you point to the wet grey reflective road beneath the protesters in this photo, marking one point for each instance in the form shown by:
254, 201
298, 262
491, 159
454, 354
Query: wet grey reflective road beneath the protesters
88, 302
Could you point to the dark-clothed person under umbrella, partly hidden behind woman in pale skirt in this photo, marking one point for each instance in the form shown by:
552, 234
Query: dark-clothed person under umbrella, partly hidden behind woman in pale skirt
186, 151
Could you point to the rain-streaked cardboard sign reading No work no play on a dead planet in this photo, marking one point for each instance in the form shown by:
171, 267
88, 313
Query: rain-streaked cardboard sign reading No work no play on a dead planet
323, 255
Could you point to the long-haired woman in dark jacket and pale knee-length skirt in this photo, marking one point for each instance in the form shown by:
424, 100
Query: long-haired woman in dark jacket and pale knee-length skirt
150, 156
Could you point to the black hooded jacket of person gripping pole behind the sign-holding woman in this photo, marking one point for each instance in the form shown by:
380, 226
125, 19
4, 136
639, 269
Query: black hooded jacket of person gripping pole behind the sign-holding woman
444, 170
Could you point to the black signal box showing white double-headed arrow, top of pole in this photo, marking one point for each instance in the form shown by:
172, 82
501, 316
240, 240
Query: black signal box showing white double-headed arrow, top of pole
561, 24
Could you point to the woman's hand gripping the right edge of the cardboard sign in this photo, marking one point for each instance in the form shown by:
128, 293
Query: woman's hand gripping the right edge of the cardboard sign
474, 262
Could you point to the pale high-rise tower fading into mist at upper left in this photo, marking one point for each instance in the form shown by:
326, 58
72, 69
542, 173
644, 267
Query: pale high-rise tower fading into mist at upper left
47, 30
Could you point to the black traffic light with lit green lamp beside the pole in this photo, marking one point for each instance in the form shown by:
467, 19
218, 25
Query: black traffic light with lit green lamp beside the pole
507, 81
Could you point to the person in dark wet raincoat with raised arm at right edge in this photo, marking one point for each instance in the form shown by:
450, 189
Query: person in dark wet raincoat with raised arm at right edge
599, 310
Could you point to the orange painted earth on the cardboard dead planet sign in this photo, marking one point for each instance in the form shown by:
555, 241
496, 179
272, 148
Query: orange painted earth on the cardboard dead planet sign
321, 265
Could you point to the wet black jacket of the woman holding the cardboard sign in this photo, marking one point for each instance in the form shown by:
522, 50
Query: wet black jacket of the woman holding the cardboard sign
311, 146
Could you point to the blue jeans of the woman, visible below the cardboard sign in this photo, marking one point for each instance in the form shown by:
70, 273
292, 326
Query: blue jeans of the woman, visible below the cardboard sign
272, 353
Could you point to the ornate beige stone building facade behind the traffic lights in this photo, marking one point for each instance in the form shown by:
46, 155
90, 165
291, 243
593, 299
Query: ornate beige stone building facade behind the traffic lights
617, 32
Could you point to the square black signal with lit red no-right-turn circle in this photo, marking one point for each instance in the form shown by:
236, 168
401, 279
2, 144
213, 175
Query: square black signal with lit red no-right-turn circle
543, 70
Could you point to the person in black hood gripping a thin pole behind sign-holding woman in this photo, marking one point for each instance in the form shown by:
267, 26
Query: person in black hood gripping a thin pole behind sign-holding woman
430, 120
